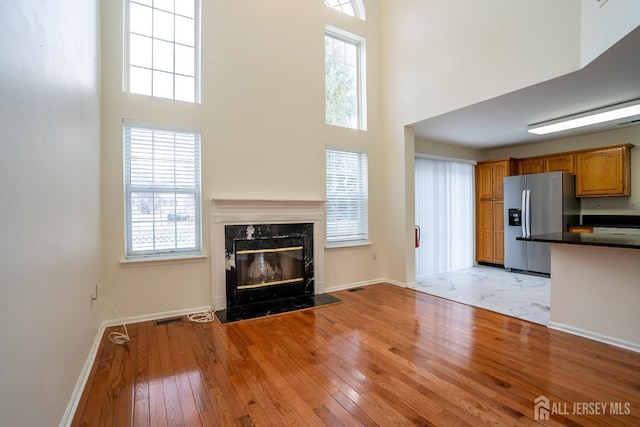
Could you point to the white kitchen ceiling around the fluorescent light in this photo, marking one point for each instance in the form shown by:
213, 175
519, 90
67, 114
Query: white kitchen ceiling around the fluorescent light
612, 78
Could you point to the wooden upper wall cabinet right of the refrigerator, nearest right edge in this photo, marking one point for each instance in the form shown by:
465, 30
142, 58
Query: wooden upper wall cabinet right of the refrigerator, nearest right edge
604, 172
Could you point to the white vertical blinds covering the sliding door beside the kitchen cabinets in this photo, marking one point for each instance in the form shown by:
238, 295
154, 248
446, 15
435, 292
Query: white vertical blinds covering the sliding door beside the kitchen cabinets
444, 212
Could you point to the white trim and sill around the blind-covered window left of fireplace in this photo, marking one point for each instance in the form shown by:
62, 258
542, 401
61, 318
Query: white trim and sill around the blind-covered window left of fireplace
159, 257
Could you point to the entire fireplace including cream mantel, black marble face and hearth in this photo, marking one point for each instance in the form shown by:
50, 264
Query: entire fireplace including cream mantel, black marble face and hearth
267, 256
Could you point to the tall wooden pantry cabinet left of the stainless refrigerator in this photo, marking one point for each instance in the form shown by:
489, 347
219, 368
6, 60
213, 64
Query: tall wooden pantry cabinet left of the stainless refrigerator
490, 208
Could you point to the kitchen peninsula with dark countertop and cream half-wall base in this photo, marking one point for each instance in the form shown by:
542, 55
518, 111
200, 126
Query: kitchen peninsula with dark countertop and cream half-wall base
595, 286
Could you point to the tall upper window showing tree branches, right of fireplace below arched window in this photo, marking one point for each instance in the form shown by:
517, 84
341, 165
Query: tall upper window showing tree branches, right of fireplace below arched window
344, 77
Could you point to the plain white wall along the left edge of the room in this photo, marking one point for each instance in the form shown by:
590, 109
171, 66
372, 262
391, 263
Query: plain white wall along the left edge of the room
49, 214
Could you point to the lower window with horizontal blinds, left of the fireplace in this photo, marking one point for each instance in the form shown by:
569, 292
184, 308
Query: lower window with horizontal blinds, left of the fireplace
162, 191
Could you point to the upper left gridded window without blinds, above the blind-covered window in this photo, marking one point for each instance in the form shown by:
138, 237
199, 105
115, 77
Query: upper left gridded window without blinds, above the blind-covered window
162, 48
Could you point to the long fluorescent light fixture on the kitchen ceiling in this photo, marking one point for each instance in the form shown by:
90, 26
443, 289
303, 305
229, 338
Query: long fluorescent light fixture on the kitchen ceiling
606, 114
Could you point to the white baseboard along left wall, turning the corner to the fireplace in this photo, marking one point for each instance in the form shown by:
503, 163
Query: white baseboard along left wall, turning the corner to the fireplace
93, 352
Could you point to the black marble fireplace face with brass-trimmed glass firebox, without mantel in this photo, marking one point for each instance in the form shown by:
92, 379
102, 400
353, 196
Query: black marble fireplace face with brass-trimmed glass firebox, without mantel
266, 262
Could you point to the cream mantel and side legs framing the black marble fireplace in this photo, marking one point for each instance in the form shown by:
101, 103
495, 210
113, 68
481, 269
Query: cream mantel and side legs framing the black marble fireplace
252, 212
